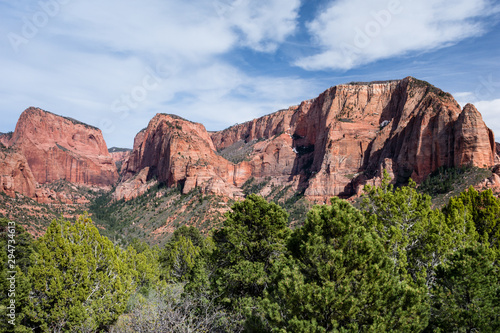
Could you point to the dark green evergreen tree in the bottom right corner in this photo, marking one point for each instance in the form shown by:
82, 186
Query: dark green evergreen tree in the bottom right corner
466, 297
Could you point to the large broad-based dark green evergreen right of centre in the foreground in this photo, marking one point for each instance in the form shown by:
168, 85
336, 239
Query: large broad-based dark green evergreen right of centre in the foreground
340, 279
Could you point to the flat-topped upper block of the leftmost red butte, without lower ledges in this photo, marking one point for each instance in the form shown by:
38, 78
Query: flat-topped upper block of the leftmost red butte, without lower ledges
63, 148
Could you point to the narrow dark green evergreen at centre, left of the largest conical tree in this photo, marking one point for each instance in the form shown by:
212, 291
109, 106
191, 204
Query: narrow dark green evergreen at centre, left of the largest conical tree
253, 236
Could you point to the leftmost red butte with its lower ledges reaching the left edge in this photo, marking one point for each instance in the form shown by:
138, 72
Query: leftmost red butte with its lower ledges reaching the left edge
46, 148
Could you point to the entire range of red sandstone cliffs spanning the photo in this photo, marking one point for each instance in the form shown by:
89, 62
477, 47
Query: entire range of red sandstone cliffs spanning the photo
330, 145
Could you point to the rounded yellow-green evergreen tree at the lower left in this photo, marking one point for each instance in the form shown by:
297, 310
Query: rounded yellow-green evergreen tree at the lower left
79, 279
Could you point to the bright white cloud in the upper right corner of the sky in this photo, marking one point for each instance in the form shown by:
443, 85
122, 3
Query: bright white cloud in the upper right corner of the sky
351, 33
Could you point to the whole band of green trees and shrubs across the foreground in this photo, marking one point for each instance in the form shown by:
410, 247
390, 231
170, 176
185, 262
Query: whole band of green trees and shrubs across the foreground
396, 264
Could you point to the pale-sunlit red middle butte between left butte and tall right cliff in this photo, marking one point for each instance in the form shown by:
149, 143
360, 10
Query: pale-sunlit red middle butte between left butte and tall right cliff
179, 153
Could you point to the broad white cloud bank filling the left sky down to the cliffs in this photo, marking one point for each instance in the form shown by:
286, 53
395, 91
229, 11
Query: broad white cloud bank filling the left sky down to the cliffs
114, 64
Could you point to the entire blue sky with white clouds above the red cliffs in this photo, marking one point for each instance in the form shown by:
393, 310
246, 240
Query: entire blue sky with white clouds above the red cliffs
114, 64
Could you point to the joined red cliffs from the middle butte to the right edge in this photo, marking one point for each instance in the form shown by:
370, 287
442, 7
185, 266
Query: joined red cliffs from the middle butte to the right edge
331, 145
